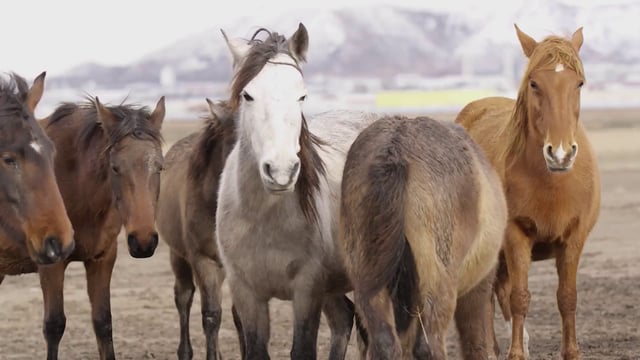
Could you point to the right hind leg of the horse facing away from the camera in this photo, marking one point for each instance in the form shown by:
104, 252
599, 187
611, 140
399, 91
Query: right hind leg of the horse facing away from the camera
473, 317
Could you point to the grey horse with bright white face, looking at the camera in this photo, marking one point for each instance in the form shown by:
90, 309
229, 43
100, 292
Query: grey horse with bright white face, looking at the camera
277, 206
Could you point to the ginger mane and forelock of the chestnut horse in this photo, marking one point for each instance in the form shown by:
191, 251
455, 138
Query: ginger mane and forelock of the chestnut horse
547, 54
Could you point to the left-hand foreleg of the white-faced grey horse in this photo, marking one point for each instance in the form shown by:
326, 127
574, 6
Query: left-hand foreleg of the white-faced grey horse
253, 314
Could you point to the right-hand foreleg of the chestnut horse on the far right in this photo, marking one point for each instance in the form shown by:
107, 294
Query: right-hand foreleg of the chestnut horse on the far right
567, 261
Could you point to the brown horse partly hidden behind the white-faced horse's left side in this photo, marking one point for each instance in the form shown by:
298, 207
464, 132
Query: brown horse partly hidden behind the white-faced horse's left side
185, 219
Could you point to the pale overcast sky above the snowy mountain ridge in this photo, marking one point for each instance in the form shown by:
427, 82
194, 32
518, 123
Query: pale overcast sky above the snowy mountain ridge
56, 35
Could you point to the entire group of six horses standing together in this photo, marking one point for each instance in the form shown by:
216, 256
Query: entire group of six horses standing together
422, 220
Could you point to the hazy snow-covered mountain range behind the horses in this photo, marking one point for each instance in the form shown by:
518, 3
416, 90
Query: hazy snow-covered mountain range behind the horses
384, 41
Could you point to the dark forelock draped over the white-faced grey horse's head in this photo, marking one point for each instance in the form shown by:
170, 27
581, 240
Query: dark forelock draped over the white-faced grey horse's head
259, 54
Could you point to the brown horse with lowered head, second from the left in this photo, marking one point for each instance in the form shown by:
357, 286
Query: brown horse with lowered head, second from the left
108, 169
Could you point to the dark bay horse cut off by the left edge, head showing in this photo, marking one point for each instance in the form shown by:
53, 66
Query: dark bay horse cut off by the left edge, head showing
34, 227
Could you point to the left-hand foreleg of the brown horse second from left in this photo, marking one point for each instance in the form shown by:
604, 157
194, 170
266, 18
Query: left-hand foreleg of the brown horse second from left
52, 284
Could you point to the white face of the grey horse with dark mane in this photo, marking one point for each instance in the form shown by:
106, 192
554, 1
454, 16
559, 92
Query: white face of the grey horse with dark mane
273, 119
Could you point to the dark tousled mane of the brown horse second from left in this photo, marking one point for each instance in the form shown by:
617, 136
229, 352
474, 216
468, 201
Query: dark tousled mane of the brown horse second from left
132, 121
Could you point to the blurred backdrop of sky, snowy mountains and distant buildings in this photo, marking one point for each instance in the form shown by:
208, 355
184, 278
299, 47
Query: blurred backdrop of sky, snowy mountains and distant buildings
401, 56
